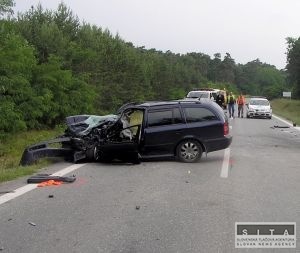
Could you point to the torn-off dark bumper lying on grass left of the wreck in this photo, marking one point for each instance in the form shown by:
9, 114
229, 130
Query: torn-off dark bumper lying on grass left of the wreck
41, 150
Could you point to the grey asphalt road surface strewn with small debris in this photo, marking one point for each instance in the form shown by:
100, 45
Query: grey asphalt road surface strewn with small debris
163, 206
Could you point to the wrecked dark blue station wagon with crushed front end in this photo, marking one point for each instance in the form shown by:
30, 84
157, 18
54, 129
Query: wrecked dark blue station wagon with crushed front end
183, 129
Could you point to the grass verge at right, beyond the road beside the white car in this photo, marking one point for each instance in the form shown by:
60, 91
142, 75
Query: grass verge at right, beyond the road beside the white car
289, 109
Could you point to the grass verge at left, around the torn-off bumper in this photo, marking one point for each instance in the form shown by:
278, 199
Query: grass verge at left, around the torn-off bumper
12, 148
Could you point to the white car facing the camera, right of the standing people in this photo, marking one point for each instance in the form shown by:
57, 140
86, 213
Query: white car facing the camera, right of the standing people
259, 107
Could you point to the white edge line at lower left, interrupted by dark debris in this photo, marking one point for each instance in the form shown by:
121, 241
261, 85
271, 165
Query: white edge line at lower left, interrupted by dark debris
24, 189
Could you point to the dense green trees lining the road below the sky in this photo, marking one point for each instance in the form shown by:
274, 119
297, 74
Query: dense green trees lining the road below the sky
53, 65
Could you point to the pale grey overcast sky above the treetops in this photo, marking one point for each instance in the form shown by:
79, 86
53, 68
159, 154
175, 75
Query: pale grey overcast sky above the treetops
247, 29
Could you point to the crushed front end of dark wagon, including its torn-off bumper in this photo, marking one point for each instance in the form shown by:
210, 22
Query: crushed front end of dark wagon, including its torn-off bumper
80, 140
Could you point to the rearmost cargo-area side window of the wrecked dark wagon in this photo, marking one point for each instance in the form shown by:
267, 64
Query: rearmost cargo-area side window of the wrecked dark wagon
195, 114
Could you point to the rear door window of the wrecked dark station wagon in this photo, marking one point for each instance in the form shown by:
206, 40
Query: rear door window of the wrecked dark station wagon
164, 117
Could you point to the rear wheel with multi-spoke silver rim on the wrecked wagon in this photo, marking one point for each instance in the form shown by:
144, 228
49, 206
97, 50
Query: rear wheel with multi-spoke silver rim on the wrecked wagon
189, 151
